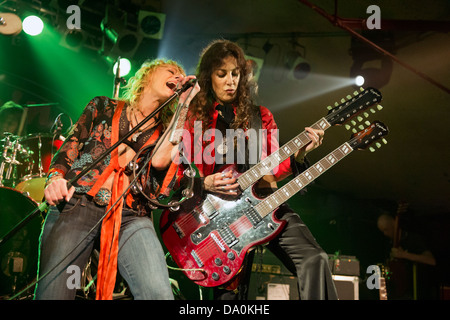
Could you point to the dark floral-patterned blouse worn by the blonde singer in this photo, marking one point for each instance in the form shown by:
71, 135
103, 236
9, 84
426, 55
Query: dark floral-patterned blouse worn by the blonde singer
90, 138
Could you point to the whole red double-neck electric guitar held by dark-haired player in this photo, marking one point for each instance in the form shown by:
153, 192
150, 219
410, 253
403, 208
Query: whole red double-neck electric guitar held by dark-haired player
209, 237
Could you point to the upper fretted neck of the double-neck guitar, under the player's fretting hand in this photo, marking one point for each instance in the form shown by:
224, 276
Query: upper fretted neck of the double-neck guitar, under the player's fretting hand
264, 167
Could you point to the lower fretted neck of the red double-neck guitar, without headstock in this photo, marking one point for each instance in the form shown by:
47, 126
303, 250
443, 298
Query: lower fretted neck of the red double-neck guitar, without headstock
280, 196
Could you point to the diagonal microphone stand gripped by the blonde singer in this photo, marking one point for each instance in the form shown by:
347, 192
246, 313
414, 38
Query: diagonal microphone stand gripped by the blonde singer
43, 206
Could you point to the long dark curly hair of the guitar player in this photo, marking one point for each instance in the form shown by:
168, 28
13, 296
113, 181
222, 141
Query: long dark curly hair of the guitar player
212, 58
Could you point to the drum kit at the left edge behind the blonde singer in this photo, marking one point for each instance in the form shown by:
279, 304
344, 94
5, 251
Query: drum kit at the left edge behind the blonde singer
24, 163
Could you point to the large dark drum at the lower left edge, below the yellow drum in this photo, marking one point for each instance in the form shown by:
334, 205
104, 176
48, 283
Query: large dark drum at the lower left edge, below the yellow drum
18, 255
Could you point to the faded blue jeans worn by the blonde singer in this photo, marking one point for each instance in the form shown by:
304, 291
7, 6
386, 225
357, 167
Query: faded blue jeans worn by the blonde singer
141, 260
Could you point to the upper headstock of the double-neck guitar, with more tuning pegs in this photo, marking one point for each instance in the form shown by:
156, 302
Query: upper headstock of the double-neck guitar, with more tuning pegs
349, 108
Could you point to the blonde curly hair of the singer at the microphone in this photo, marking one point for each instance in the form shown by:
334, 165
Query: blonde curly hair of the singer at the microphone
136, 84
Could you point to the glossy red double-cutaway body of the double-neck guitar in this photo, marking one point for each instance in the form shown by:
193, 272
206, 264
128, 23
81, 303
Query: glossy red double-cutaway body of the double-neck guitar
214, 234
